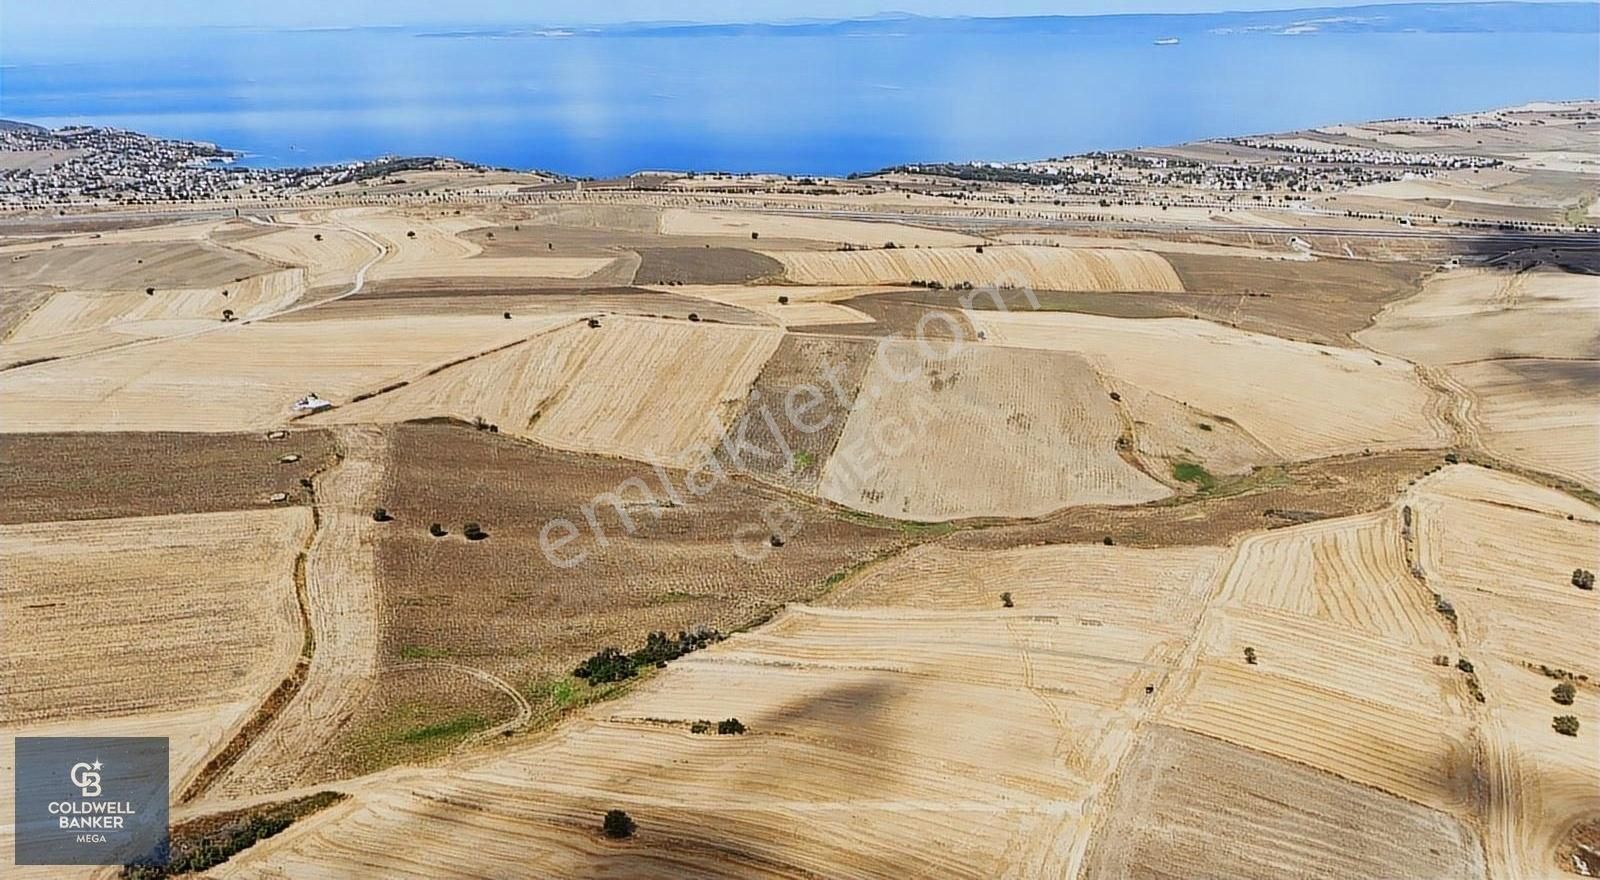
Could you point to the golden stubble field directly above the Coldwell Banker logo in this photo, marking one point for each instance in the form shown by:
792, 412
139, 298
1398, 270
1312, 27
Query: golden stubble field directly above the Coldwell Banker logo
105, 618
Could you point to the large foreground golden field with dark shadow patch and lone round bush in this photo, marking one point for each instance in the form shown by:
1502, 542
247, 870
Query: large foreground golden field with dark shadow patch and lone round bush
876, 737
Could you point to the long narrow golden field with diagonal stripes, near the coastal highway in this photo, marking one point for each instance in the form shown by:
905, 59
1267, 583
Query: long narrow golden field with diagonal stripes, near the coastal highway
1039, 268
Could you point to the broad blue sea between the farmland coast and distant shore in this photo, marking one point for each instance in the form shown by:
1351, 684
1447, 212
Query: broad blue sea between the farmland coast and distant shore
826, 100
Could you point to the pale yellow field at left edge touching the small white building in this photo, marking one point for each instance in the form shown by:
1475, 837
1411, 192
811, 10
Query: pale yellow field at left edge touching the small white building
244, 377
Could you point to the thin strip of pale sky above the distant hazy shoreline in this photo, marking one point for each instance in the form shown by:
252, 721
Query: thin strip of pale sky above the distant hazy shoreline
25, 17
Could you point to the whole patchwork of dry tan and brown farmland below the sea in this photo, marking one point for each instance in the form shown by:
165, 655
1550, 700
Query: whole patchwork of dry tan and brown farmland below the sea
1222, 510
